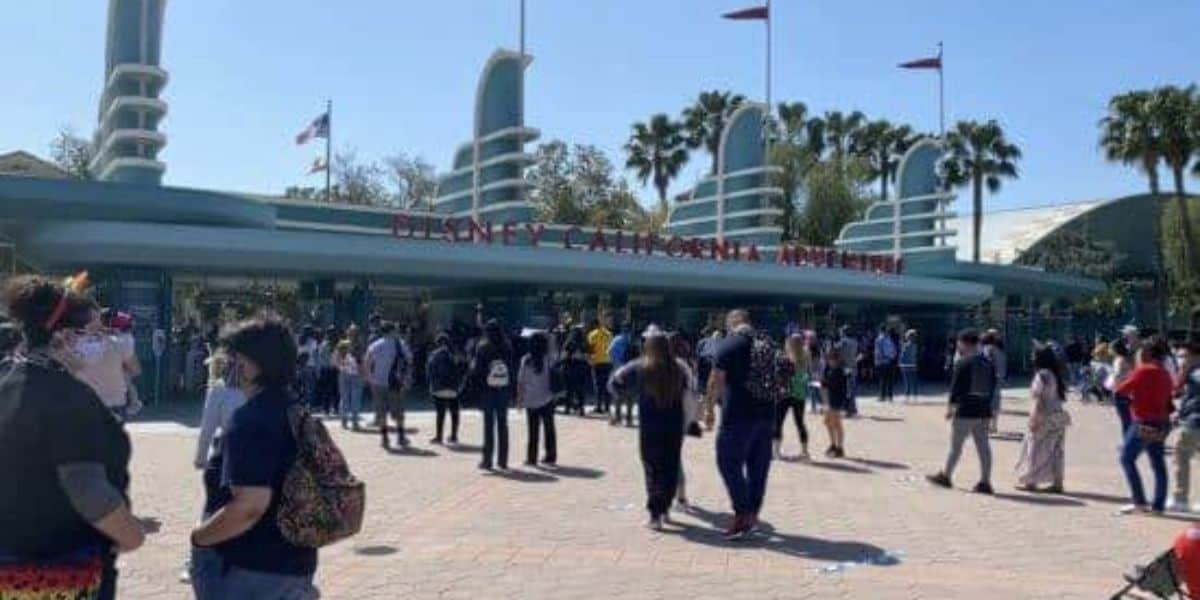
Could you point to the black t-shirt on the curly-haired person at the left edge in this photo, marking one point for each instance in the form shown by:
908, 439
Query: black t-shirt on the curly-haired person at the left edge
50, 419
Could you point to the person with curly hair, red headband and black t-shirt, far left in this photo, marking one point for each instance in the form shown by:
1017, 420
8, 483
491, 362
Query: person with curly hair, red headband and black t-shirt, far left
65, 508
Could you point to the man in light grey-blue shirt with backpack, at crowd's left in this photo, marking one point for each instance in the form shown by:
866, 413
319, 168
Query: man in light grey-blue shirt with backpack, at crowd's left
388, 371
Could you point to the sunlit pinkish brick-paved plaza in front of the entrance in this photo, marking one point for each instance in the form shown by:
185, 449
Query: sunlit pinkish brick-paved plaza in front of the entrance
868, 526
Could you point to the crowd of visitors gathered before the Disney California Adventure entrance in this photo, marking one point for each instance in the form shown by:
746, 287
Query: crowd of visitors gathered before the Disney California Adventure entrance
63, 527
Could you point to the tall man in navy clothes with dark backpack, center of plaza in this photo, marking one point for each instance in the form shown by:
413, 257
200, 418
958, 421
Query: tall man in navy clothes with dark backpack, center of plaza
746, 379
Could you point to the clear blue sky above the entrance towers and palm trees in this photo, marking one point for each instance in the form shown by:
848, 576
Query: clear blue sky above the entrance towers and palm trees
248, 76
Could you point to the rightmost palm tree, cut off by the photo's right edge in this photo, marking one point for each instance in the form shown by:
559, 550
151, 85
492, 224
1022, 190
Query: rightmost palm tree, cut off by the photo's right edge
1172, 111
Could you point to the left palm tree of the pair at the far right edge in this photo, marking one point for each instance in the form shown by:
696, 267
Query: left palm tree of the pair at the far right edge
1127, 135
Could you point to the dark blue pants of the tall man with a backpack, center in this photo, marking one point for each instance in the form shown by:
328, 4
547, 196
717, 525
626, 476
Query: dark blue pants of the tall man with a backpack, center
743, 457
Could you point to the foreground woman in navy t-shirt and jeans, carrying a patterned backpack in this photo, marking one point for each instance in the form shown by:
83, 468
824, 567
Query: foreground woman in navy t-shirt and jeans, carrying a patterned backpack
238, 549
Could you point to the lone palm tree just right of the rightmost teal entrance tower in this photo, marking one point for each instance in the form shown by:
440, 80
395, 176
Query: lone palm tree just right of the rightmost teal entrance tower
980, 155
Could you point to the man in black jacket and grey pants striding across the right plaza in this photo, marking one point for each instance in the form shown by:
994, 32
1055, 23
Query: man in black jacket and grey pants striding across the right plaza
973, 389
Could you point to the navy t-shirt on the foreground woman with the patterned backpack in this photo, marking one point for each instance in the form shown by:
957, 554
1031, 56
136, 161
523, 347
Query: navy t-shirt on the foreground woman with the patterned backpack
257, 452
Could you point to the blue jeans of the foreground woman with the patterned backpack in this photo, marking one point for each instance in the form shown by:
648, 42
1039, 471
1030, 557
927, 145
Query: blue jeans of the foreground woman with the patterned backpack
214, 580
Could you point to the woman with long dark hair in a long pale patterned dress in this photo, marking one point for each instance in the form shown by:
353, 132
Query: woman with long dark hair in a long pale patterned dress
1045, 449
